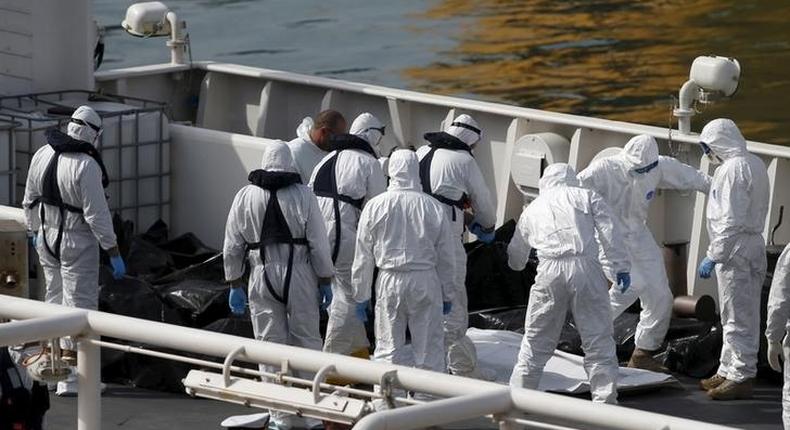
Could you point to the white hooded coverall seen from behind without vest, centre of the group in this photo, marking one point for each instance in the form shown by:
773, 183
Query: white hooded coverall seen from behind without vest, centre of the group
405, 234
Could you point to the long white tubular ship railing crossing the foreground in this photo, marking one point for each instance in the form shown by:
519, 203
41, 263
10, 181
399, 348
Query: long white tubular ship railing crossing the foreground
463, 398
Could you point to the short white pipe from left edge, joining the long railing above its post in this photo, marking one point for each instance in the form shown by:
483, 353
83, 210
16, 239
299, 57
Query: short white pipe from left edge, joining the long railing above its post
58, 325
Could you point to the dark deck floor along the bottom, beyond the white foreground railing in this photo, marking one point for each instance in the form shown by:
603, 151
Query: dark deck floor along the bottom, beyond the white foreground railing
136, 409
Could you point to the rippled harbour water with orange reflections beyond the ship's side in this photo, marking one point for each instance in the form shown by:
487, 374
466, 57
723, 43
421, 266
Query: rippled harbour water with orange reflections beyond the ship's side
616, 59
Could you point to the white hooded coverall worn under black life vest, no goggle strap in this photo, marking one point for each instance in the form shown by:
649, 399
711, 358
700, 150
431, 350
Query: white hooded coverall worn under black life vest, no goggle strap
297, 322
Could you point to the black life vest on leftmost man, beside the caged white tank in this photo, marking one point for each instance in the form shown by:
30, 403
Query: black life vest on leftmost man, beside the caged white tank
50, 191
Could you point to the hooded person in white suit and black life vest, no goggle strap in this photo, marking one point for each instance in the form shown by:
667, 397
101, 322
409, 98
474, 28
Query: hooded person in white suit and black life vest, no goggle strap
276, 225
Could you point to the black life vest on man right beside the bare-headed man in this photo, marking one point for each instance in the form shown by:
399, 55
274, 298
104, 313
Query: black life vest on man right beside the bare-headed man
325, 183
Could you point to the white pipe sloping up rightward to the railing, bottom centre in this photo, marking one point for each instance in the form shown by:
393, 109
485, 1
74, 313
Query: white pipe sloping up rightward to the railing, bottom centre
439, 412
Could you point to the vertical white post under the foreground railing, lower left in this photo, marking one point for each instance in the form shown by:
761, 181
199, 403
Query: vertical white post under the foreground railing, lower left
89, 381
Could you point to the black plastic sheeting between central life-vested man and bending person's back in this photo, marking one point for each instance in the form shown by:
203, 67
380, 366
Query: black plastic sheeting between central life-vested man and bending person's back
490, 283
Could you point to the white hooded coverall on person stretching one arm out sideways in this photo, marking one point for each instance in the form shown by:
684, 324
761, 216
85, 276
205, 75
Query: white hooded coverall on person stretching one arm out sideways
628, 195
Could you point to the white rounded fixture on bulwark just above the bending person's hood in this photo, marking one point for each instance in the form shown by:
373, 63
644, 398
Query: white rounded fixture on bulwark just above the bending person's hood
531, 154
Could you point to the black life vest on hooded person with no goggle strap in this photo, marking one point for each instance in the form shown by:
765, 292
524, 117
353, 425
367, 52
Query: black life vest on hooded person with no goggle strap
275, 228
